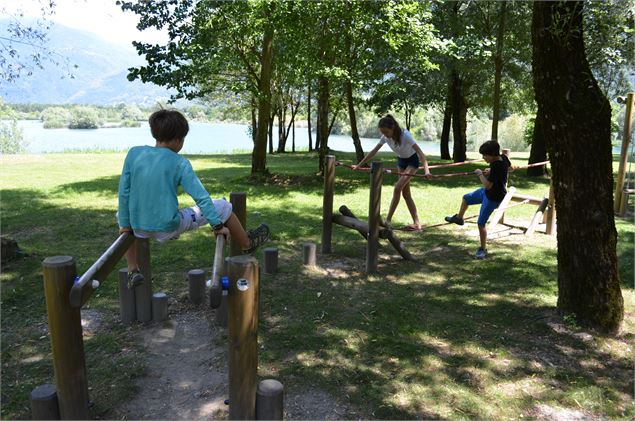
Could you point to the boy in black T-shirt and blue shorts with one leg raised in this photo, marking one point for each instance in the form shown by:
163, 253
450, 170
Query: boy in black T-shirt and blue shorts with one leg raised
490, 195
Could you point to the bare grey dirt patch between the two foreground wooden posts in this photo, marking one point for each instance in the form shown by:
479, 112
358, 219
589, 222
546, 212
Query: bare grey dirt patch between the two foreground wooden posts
187, 372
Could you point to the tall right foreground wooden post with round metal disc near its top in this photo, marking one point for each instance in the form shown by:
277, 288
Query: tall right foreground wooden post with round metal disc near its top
243, 336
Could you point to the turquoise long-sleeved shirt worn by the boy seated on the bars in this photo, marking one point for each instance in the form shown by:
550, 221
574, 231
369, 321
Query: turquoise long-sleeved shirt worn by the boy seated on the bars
148, 190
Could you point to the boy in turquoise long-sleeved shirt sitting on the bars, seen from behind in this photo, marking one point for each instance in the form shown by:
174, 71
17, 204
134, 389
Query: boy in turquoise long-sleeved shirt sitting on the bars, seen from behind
148, 204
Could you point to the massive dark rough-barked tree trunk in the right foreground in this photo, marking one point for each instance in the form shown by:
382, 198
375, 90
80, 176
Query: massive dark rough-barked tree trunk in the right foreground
577, 129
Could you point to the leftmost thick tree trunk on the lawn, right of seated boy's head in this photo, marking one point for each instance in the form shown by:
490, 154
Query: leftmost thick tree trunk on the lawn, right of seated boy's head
259, 154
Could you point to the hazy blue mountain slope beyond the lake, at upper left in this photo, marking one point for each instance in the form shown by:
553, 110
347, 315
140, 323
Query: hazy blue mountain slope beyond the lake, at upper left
99, 79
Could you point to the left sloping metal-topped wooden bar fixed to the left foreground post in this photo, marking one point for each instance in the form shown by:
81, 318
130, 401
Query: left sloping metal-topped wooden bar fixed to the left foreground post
83, 288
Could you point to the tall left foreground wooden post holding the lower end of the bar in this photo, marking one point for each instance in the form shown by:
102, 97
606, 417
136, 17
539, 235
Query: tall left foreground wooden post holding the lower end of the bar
67, 344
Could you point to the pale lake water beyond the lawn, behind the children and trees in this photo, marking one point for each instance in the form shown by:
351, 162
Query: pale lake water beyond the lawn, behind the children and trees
203, 138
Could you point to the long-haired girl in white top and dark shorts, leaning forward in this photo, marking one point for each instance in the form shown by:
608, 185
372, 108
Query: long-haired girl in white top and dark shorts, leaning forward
409, 158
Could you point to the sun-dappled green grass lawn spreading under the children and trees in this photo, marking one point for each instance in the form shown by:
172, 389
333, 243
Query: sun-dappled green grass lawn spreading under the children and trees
444, 337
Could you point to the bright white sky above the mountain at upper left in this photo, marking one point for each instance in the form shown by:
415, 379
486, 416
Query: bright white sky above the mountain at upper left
101, 17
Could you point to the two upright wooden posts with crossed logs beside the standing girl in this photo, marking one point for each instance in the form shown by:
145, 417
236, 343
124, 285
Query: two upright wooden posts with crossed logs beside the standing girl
370, 230
